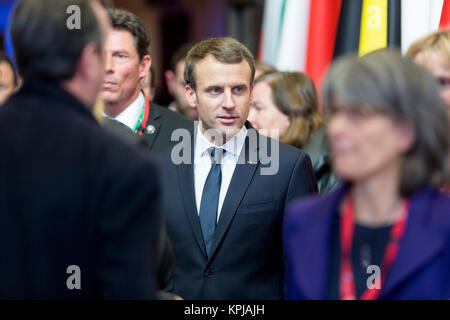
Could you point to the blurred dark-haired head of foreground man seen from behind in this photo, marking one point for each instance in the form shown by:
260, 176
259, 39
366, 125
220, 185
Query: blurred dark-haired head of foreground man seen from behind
47, 47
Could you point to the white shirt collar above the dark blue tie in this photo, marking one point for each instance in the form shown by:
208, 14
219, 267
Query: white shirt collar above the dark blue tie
232, 147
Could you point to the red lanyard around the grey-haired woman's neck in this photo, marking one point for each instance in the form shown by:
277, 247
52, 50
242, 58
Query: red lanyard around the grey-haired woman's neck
346, 278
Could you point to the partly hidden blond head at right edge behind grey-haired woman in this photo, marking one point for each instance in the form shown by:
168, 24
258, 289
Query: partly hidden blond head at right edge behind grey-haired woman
433, 52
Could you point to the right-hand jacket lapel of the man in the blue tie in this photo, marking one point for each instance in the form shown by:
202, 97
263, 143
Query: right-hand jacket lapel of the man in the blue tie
242, 176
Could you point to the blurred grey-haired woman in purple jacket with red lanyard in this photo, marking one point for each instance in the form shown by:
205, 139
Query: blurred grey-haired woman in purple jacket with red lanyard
385, 233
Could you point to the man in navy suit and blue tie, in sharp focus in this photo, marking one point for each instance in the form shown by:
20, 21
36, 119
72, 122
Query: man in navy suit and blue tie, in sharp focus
225, 189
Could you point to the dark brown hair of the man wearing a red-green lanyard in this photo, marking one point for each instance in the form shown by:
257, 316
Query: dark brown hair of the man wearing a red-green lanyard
125, 20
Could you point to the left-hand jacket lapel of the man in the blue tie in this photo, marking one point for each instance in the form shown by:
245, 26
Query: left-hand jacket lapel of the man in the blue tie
187, 188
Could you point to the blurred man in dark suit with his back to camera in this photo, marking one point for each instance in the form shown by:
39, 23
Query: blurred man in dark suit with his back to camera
78, 207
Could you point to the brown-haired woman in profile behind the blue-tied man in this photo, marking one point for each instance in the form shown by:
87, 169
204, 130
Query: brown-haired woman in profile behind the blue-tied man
285, 106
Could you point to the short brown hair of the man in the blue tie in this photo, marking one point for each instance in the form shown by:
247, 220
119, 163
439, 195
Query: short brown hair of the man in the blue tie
225, 50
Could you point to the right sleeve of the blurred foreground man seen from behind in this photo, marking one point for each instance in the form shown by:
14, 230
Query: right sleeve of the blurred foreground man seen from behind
127, 228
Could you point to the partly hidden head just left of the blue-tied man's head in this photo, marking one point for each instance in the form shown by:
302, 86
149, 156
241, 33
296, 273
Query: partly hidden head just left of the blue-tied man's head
175, 82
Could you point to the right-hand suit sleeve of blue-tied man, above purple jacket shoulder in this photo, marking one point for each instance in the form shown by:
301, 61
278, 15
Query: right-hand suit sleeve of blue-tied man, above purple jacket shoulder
302, 180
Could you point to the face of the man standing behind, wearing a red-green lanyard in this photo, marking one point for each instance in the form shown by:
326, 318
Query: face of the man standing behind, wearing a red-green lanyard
123, 69
